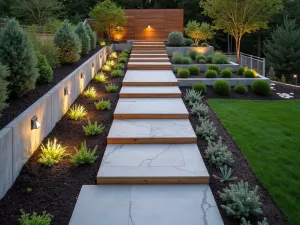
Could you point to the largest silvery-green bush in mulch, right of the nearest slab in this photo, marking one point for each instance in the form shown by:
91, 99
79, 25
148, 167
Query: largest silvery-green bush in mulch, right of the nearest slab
240, 201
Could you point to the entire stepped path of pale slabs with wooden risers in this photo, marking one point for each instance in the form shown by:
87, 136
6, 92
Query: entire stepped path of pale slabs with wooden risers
152, 172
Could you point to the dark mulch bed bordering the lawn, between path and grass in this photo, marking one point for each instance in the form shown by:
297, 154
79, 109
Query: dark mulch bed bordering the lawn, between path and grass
241, 168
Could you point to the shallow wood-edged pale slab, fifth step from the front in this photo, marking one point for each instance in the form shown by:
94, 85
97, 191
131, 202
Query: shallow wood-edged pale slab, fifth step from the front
150, 92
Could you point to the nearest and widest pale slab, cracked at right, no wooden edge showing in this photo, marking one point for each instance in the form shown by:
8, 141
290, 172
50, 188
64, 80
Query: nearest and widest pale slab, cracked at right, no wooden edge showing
146, 205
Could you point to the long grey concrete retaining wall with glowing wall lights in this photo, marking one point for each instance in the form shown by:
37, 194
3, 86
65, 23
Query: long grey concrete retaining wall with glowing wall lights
18, 141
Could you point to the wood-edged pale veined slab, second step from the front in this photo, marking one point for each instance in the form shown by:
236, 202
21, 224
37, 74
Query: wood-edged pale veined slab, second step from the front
153, 164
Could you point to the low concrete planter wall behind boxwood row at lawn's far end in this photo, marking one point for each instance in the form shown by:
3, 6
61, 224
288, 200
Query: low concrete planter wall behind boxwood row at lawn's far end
188, 82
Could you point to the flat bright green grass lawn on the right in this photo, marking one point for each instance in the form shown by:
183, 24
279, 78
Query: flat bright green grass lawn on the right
268, 134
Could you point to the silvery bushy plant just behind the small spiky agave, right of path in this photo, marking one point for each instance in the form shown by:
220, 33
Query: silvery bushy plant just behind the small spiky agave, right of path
218, 154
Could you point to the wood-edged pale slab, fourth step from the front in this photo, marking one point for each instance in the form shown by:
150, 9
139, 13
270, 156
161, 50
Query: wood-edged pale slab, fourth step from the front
151, 108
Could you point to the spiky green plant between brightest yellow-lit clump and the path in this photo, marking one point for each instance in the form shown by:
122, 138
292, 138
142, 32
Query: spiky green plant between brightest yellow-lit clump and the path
83, 155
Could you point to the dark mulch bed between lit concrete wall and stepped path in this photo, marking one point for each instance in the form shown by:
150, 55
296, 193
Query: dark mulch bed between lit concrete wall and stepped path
56, 189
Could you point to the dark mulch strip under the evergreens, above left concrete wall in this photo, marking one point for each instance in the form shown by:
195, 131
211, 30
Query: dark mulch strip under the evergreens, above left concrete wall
18, 105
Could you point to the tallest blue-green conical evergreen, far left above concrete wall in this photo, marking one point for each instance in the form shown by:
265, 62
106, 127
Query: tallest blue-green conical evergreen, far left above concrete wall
18, 55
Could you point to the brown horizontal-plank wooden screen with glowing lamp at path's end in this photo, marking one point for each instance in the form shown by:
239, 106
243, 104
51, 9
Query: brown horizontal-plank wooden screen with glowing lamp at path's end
161, 22
